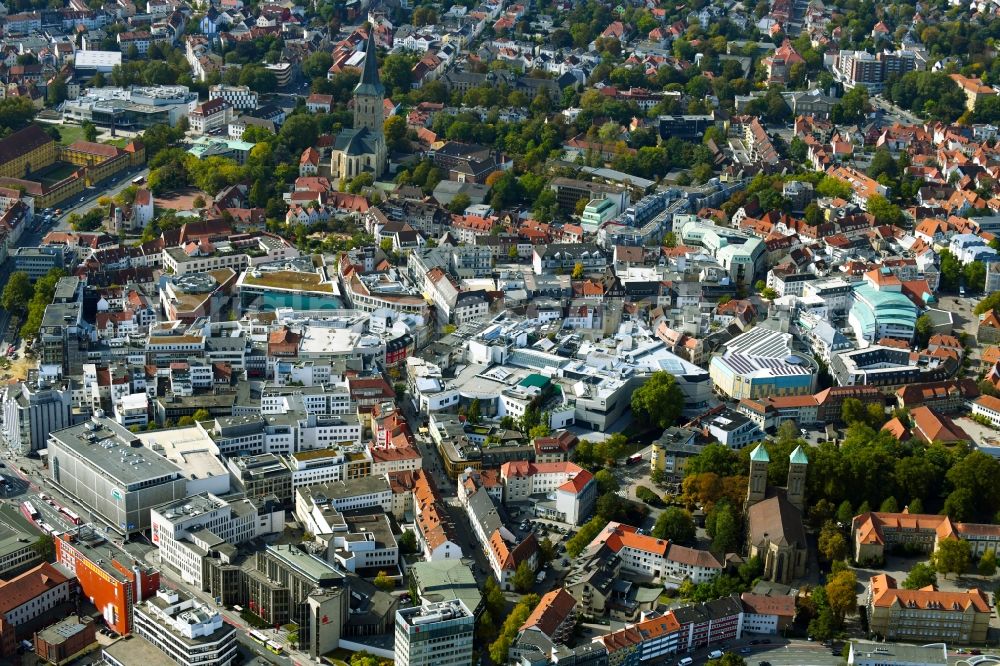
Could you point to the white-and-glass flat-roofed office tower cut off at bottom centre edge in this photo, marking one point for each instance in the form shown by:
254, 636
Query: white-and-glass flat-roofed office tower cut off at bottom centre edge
434, 634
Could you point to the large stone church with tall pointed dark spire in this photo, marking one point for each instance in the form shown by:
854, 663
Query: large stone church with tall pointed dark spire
362, 149
